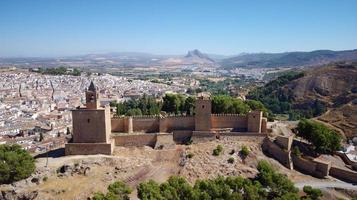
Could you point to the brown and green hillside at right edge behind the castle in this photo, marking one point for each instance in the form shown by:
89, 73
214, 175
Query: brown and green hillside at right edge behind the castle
331, 88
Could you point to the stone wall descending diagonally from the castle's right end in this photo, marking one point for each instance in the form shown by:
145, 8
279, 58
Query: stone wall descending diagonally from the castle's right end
272, 149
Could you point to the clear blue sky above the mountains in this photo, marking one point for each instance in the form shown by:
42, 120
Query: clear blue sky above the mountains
228, 27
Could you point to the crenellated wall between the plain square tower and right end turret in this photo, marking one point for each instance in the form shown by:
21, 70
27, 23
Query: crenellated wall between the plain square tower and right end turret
234, 121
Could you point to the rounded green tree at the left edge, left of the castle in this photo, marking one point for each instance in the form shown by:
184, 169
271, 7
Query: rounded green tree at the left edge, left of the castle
15, 163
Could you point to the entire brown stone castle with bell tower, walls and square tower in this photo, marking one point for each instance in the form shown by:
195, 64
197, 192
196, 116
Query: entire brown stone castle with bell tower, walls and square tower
96, 132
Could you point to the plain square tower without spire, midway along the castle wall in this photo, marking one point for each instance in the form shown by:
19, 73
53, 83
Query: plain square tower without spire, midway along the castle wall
203, 111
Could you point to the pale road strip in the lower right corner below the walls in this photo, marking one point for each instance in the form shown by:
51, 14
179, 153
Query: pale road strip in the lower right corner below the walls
327, 184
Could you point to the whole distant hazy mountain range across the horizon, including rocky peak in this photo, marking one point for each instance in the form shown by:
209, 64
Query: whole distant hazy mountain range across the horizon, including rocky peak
253, 60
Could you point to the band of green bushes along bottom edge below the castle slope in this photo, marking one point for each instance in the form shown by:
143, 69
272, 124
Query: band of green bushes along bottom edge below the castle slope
268, 184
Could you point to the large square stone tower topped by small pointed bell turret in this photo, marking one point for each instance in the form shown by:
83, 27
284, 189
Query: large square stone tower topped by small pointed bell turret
91, 127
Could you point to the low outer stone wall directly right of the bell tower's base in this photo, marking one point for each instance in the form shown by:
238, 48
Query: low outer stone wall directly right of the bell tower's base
135, 140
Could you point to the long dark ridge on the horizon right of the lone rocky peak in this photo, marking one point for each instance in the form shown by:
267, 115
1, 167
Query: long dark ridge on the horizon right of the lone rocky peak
288, 59
